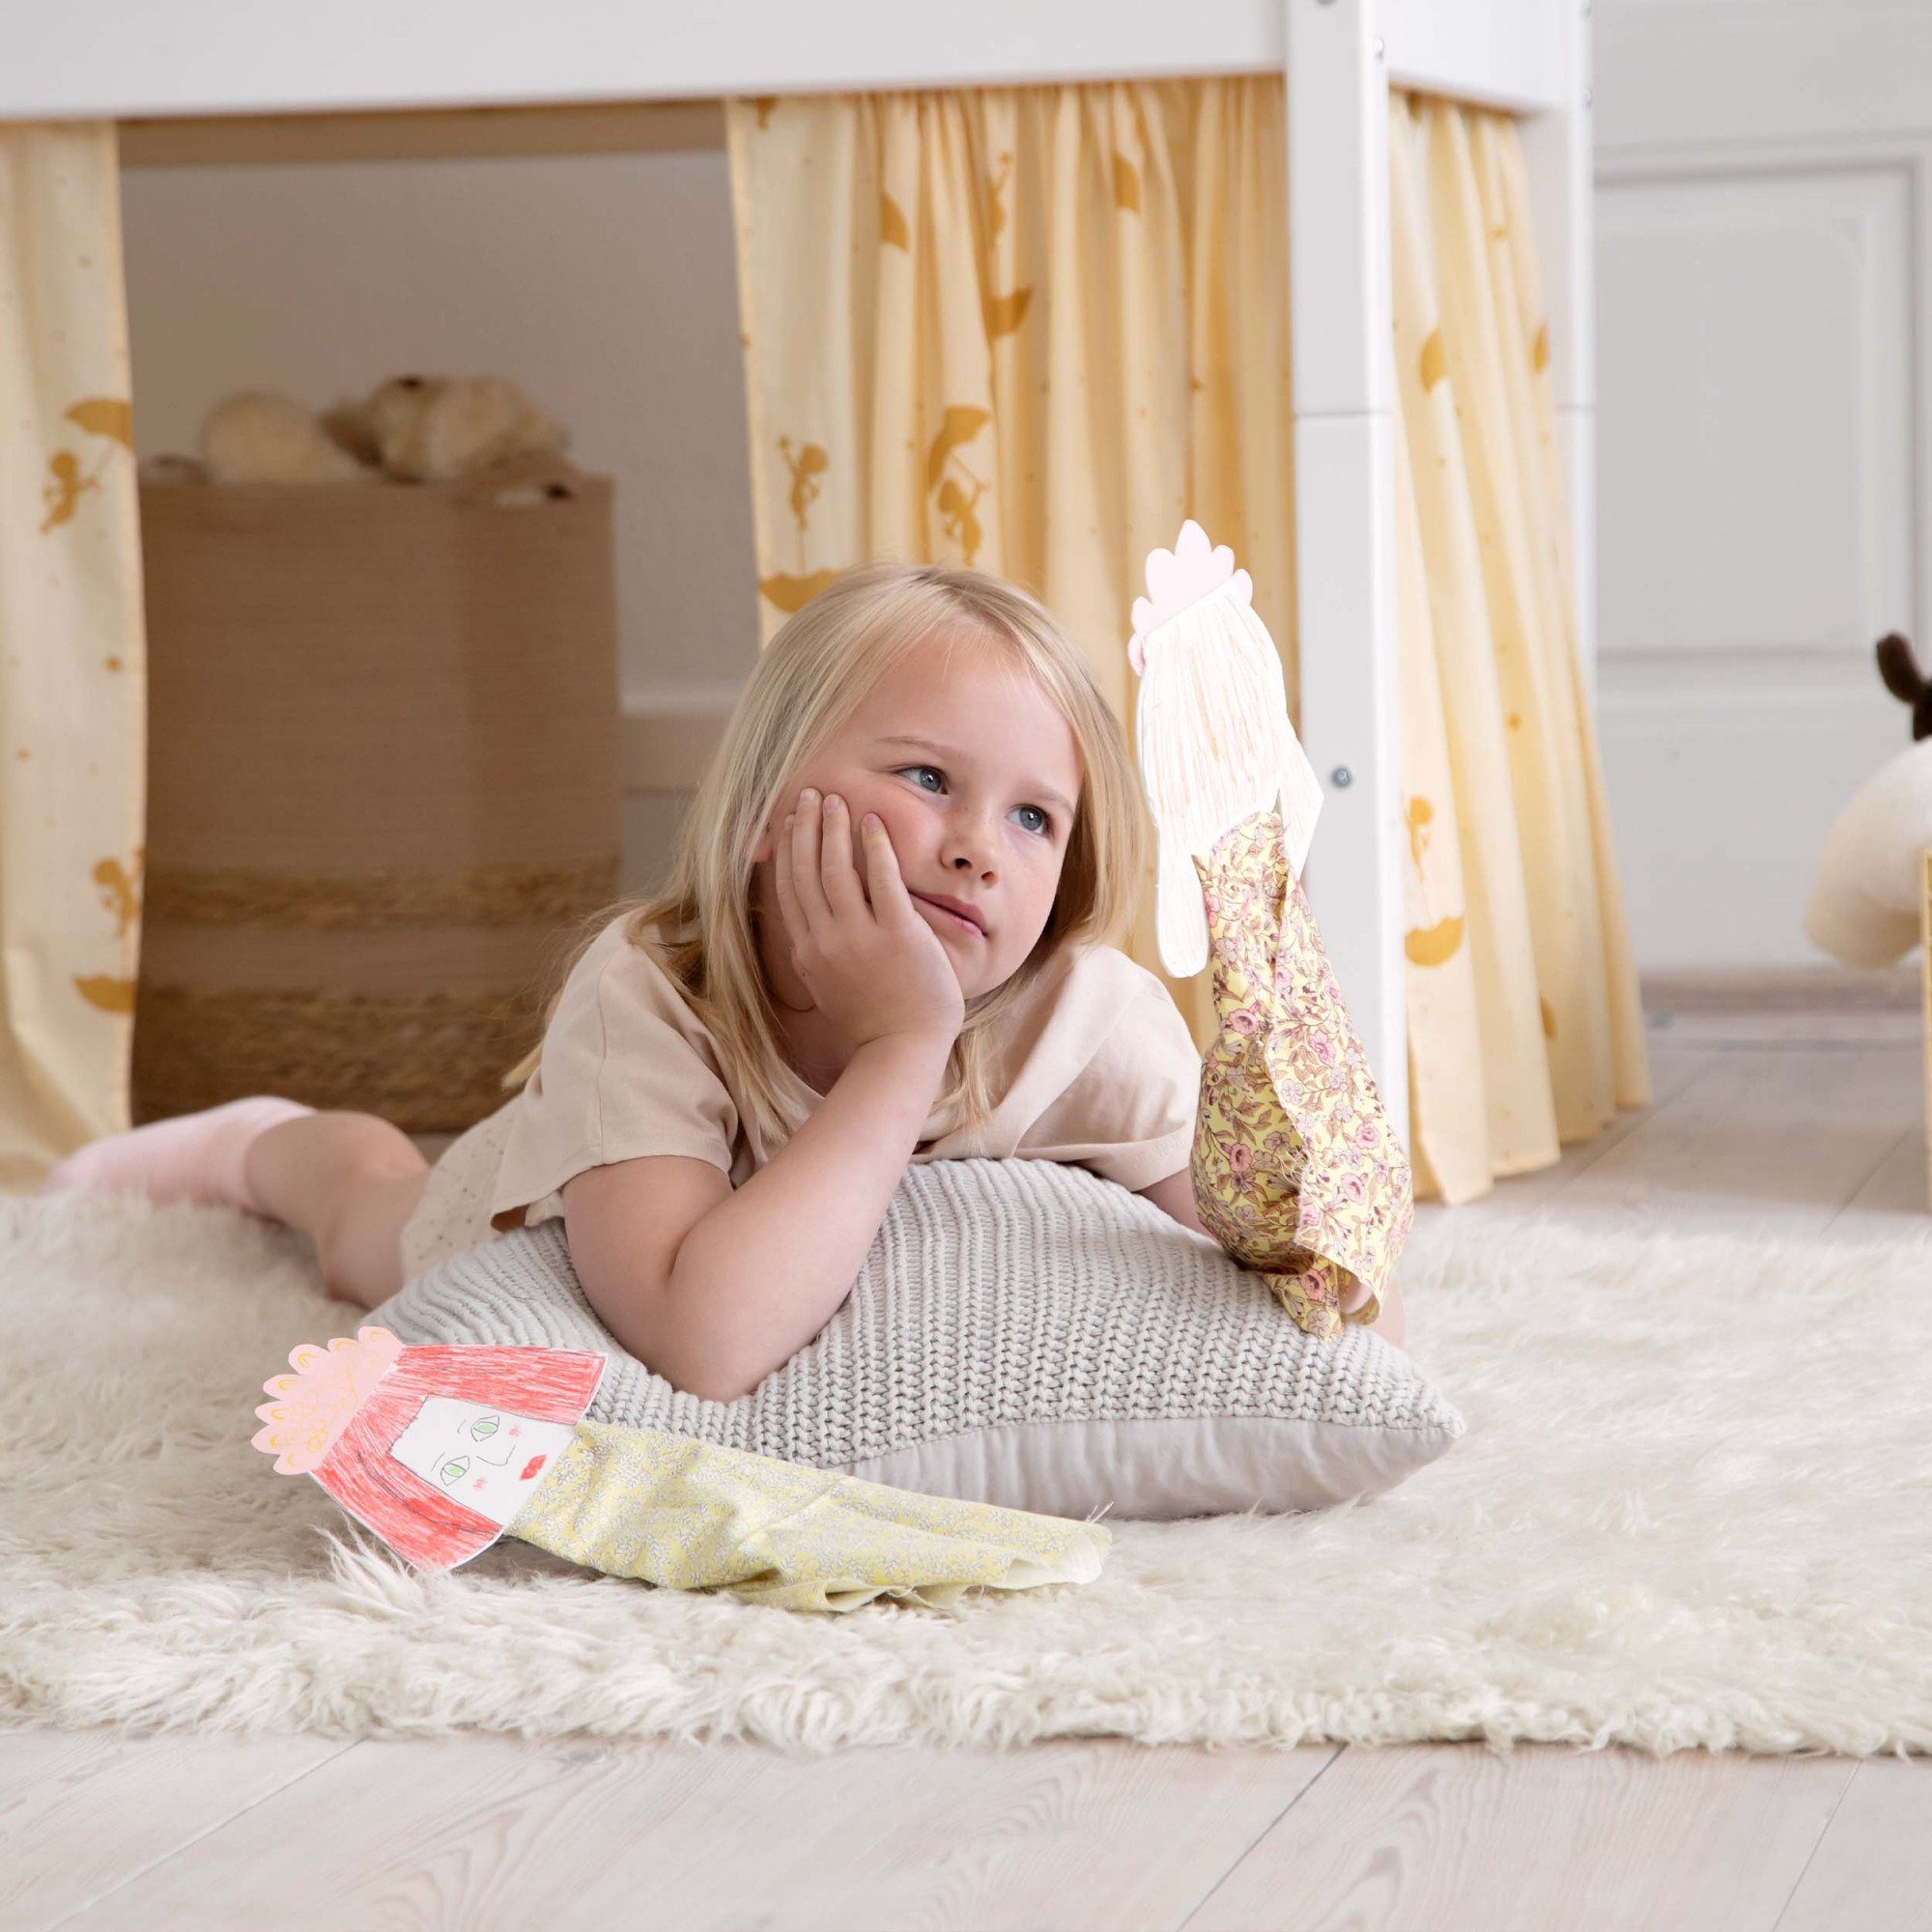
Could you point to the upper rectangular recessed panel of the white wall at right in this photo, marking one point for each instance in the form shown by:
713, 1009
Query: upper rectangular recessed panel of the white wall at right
1755, 440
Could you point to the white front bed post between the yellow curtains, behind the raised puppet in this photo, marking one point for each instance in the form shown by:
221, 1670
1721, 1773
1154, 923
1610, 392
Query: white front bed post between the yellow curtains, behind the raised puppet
1340, 316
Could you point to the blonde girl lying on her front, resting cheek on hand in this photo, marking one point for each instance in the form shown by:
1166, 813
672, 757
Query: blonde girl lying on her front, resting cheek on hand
888, 938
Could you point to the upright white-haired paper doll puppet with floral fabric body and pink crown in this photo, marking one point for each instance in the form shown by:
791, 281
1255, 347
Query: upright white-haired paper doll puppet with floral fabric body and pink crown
1297, 1170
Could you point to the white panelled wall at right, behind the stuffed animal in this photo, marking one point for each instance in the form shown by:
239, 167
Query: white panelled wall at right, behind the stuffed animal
1763, 432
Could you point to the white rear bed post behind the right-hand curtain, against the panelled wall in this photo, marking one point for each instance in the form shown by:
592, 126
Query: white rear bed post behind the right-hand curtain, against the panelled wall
1558, 156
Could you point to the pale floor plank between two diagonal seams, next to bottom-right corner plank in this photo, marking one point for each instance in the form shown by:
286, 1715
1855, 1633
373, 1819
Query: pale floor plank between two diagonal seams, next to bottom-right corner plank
1454, 1838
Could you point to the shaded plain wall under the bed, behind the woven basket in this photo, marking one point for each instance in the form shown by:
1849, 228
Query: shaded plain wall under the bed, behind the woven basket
604, 285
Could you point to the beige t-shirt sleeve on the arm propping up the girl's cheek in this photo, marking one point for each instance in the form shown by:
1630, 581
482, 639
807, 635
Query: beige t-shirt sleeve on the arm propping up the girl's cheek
627, 1071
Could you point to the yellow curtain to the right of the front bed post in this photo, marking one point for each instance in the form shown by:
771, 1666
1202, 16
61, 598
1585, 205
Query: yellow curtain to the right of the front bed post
1523, 1011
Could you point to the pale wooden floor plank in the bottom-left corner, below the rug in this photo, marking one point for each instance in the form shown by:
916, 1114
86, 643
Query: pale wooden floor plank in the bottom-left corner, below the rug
84, 1813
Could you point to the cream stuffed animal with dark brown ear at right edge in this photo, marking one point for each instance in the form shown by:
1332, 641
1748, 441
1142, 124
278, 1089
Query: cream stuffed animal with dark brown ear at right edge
1869, 897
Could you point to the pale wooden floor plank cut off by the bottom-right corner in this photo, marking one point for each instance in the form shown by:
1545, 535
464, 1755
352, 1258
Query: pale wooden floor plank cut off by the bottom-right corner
1873, 1869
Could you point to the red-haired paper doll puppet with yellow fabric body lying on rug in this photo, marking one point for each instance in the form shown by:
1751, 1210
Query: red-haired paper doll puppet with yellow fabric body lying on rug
443, 1450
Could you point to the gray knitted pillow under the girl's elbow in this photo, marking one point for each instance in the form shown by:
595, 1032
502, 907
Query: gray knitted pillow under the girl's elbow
1023, 1334
